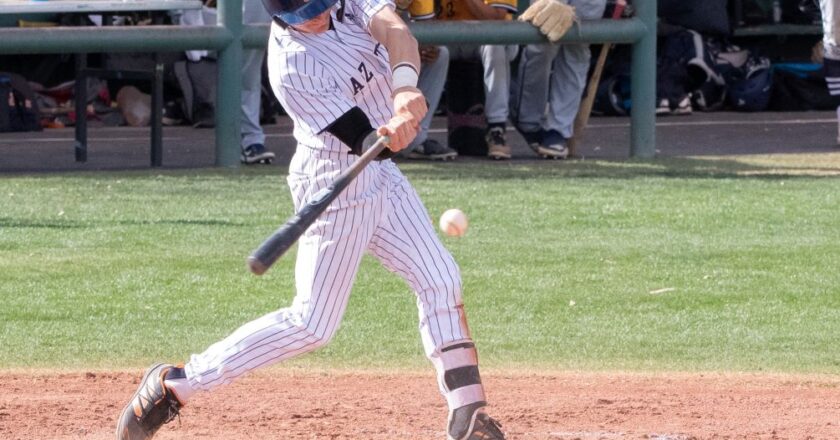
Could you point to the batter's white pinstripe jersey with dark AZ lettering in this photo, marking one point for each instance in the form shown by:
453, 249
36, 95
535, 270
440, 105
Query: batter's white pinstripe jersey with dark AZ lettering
319, 77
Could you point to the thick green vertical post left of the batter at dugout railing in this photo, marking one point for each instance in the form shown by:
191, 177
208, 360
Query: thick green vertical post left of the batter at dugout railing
229, 86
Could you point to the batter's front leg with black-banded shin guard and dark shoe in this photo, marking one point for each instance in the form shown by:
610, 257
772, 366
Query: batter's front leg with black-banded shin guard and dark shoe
407, 244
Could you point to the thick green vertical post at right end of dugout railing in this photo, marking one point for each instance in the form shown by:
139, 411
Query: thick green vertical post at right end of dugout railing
643, 85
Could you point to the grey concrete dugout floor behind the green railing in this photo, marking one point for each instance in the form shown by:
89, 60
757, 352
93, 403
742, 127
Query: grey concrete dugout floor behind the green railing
699, 134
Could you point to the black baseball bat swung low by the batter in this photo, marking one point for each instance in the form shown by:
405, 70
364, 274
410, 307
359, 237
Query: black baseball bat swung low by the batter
283, 238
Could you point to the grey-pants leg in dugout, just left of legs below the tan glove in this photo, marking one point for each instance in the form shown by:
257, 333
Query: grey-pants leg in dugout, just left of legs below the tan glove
496, 61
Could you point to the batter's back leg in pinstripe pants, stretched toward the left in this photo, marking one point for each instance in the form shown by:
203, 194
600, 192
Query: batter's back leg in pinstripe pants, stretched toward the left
328, 257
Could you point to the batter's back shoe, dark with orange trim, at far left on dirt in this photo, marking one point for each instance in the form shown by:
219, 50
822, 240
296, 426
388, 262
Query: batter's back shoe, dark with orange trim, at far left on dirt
152, 406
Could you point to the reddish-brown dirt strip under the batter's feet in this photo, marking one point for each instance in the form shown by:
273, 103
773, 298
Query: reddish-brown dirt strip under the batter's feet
282, 404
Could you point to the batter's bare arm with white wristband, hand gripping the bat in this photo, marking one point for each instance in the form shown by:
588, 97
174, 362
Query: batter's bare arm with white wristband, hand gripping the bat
392, 32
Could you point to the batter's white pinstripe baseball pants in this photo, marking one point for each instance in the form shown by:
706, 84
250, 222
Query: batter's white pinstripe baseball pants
379, 213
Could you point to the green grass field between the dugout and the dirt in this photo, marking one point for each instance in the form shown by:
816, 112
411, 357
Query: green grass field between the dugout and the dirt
680, 264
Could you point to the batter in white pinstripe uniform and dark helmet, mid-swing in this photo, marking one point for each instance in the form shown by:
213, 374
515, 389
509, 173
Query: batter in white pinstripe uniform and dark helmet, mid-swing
340, 70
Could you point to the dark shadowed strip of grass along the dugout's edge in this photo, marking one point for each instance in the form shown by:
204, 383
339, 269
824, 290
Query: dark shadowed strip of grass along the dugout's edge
769, 166
